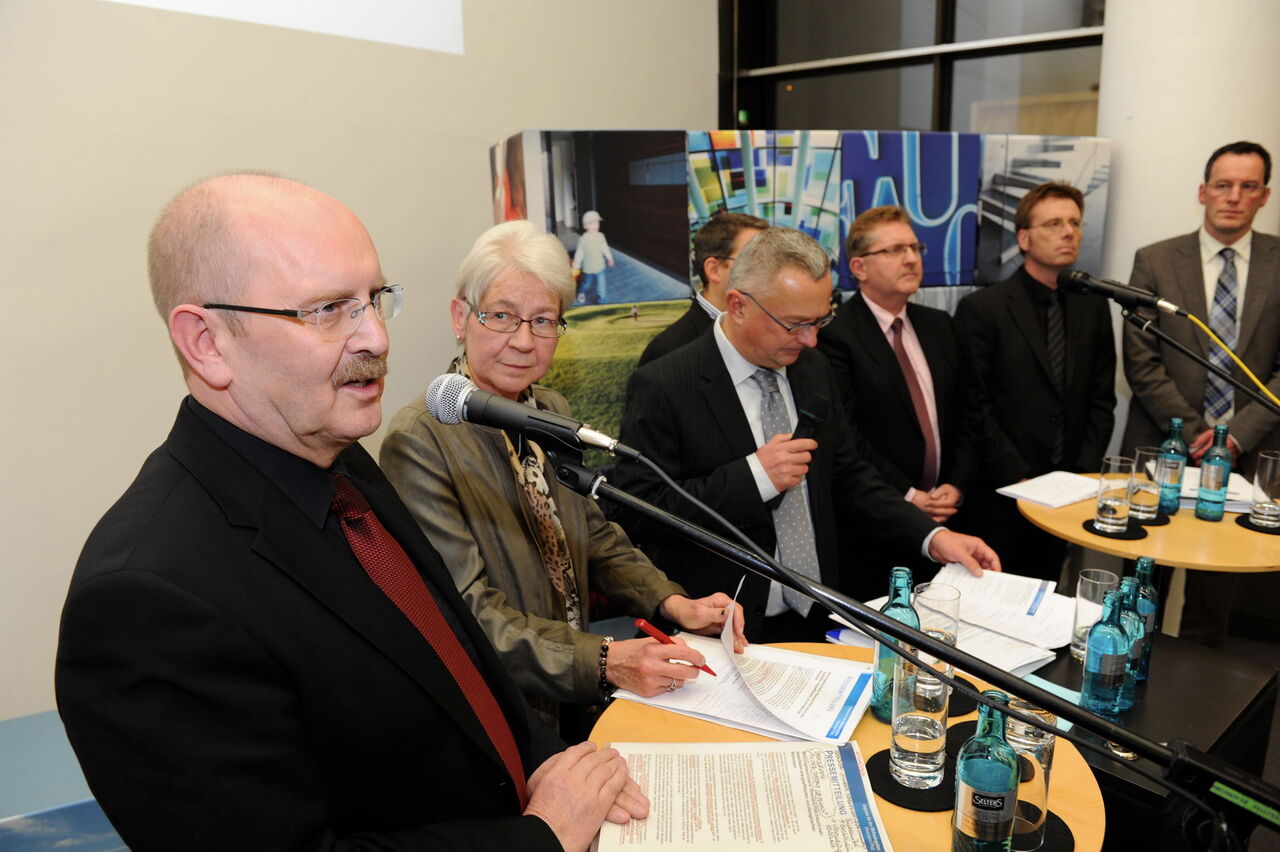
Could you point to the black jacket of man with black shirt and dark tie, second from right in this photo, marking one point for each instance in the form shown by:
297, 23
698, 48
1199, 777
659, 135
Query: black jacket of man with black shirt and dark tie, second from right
1009, 375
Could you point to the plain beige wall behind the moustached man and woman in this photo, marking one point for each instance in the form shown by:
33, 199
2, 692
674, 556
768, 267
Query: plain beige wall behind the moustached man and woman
108, 111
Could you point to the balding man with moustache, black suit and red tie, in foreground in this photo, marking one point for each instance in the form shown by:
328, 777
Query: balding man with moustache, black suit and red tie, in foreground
259, 649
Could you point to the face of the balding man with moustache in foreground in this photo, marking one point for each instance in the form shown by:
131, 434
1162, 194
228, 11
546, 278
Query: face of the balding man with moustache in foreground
309, 396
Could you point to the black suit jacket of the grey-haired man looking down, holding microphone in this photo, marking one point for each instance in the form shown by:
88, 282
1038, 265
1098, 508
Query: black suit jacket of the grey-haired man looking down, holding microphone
683, 414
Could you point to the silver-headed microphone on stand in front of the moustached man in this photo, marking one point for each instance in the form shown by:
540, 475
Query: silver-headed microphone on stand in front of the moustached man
452, 398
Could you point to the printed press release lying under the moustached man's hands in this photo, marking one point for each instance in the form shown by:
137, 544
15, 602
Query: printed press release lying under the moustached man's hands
749, 795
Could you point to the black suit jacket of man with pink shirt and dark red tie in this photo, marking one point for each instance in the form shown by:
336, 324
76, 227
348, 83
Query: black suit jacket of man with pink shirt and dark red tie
879, 402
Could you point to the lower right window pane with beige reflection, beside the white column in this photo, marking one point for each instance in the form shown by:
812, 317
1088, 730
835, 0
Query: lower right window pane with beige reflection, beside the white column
1053, 91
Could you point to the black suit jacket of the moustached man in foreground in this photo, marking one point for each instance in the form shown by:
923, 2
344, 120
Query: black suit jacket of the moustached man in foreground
232, 680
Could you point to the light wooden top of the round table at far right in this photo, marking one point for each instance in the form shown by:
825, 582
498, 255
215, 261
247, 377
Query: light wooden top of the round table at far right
1185, 543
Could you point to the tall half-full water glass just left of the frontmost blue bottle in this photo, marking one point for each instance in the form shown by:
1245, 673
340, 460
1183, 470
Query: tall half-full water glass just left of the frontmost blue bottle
918, 749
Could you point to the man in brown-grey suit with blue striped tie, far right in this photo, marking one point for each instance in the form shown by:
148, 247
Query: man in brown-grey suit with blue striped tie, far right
1228, 276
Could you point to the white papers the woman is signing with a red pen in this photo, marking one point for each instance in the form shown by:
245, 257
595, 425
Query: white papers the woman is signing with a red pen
770, 691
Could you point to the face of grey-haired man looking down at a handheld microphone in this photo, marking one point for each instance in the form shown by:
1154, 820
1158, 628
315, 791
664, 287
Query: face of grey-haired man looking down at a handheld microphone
793, 297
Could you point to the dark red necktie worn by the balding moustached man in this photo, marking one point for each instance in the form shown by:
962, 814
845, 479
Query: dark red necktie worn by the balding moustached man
394, 571
